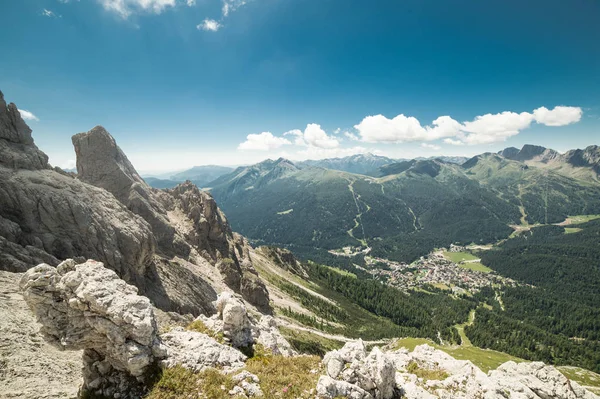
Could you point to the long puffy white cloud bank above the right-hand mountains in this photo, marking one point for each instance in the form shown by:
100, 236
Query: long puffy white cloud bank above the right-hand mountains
485, 129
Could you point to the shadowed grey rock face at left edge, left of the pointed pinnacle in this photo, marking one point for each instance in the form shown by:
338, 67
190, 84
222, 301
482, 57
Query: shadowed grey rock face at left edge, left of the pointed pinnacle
46, 216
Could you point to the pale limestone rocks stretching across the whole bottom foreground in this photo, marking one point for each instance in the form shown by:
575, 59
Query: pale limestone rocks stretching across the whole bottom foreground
88, 307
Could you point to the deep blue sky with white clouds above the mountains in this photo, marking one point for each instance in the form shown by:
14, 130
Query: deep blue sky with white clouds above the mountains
183, 82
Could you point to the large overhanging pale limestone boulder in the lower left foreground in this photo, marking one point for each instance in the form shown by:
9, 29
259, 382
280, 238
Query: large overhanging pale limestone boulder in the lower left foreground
86, 306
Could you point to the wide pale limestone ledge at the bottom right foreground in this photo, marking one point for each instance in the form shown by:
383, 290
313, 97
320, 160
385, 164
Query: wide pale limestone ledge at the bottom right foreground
352, 373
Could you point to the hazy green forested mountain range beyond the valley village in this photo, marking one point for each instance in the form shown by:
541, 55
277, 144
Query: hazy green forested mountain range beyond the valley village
407, 208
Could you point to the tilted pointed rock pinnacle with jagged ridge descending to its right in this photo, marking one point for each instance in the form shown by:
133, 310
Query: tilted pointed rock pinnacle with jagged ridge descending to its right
185, 221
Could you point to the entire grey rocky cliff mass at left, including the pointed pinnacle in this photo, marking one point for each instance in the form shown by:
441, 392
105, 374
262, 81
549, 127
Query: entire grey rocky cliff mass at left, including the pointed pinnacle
163, 242
